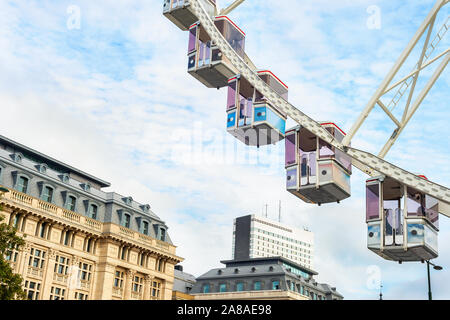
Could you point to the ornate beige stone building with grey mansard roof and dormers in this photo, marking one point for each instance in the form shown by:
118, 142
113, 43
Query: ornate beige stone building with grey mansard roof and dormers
81, 242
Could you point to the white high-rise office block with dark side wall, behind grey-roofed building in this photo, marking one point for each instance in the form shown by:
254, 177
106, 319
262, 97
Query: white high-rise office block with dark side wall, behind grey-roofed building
259, 237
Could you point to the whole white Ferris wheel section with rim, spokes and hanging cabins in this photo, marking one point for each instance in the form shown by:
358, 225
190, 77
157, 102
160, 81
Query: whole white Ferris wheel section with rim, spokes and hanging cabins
402, 208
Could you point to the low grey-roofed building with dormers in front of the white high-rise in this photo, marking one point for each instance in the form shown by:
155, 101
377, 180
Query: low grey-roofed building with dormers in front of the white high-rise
274, 278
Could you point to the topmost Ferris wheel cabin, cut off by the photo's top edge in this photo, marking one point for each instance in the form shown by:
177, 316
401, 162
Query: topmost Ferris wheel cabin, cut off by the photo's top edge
181, 14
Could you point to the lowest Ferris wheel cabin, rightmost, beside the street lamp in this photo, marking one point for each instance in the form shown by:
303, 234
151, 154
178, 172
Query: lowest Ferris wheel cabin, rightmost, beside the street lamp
403, 223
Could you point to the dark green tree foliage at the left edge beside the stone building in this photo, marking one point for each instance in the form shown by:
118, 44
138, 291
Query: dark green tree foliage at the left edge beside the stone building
10, 283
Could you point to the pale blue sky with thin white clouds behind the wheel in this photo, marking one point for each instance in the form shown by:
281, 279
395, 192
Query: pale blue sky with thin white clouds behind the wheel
113, 98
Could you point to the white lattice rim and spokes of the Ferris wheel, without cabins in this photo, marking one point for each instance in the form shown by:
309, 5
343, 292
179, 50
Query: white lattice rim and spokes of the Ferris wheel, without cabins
368, 163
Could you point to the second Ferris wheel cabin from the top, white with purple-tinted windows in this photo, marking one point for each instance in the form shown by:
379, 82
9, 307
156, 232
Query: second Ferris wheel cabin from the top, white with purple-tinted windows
206, 63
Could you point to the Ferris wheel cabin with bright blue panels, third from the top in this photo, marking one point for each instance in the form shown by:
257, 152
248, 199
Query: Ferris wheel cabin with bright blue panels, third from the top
251, 118
